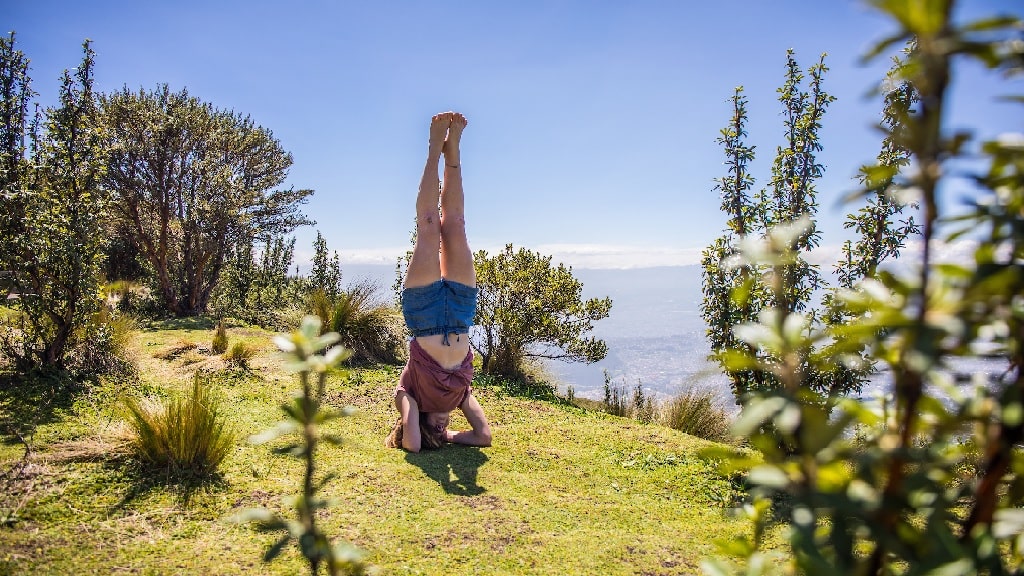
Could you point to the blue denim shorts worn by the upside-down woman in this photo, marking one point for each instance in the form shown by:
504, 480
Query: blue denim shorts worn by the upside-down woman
443, 308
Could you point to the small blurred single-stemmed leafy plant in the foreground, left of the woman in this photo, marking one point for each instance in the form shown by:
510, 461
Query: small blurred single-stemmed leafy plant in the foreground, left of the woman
306, 416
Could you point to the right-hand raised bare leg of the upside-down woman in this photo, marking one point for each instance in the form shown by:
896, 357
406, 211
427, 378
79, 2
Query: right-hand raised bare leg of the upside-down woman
456, 258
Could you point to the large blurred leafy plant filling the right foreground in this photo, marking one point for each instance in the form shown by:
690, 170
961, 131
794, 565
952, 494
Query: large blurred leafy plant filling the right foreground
933, 484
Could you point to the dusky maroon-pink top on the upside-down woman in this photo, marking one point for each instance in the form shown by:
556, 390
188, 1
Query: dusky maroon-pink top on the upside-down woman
433, 387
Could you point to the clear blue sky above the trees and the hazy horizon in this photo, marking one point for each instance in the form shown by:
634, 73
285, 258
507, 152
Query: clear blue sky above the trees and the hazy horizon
592, 126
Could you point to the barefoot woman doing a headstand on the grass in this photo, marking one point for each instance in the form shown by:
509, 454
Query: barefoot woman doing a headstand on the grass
439, 304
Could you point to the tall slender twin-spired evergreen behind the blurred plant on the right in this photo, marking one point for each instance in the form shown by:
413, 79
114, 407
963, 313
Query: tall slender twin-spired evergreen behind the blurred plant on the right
739, 292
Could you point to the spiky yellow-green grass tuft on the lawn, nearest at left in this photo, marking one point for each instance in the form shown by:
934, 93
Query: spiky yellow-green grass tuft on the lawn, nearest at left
185, 436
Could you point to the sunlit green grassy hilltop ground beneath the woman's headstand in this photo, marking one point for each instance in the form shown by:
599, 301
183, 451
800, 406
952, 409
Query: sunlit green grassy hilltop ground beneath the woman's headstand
562, 491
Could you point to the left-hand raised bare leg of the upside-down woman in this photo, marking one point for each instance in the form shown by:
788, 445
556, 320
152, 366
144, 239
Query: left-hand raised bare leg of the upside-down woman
425, 267
